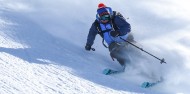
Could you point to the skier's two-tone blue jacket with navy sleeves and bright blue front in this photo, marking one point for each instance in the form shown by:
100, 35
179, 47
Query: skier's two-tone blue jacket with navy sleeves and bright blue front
123, 27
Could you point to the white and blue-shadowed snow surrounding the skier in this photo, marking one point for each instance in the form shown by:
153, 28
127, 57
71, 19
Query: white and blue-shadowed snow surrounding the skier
42, 48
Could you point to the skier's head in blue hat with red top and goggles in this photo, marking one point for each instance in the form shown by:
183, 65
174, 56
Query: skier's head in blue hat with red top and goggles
103, 13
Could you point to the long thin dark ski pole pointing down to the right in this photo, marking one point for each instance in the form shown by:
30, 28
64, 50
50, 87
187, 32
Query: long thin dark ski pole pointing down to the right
161, 60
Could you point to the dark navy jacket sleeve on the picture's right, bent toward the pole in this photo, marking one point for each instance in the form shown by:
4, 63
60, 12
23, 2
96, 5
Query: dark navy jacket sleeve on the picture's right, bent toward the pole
123, 26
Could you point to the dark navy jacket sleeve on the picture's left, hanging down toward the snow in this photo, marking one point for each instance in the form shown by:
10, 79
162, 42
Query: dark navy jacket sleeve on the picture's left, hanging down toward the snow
91, 35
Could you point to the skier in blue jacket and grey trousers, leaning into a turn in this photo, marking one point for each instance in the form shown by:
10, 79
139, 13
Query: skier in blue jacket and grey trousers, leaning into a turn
111, 26
